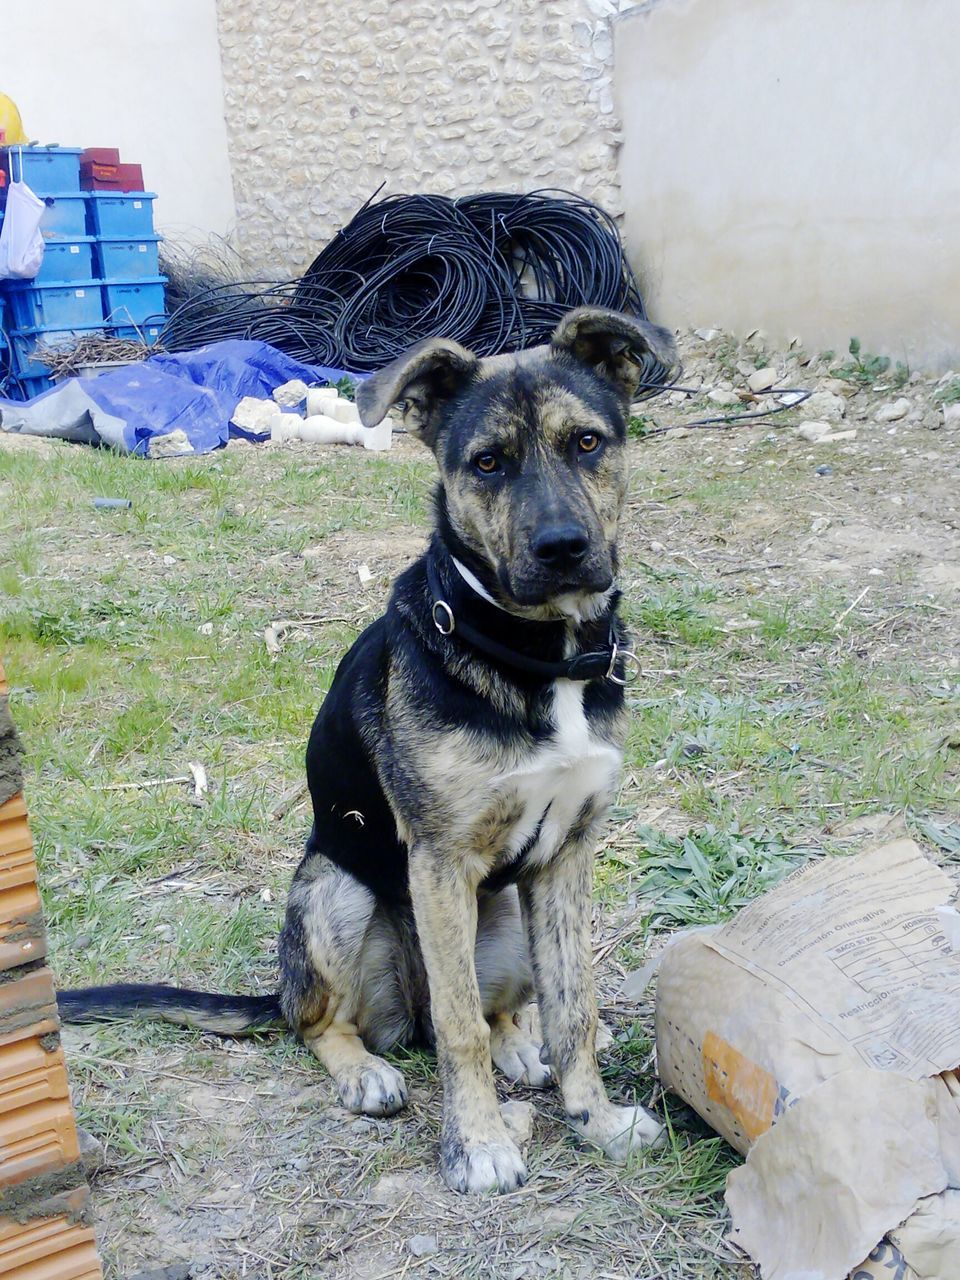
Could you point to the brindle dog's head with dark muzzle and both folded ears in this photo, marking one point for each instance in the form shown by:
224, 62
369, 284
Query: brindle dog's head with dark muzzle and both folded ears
532, 452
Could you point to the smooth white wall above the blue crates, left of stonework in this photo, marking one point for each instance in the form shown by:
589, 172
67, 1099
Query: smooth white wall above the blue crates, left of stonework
140, 75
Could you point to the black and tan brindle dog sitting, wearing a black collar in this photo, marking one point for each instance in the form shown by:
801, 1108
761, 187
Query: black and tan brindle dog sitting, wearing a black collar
464, 761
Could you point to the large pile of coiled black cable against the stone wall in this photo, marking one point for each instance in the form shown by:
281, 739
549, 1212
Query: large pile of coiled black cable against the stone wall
493, 272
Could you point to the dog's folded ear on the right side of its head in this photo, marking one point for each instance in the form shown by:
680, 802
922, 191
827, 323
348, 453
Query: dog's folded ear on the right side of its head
614, 345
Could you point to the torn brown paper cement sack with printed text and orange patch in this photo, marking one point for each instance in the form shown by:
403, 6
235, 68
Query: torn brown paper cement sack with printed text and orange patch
819, 1032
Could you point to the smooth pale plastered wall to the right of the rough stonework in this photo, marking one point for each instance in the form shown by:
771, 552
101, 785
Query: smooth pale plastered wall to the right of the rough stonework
797, 167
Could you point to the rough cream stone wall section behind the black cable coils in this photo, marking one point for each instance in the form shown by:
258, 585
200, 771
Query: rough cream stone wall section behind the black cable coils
327, 100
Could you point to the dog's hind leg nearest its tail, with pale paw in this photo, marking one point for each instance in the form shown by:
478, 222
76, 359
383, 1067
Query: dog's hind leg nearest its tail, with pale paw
321, 953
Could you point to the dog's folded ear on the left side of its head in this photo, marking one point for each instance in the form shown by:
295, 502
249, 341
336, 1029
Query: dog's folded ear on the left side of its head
424, 380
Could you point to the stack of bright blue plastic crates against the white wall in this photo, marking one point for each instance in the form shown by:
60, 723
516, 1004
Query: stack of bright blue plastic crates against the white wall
100, 273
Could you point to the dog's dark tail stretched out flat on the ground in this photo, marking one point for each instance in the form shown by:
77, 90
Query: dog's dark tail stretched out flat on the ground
227, 1016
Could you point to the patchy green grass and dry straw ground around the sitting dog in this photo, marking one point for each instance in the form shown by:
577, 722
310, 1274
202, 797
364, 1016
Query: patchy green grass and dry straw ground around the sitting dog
134, 642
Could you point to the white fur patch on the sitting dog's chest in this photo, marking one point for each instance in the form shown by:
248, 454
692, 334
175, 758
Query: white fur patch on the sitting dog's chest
554, 783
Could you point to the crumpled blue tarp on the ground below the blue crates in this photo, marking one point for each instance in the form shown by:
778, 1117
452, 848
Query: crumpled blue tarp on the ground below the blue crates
194, 392
